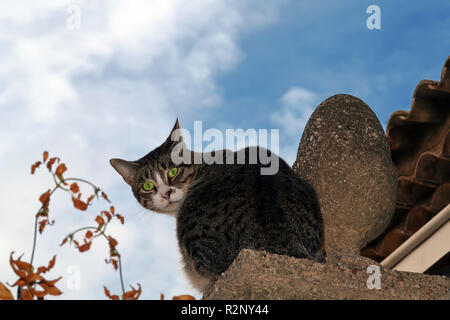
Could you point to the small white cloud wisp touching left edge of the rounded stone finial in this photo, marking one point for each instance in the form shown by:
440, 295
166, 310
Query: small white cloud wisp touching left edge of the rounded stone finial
296, 106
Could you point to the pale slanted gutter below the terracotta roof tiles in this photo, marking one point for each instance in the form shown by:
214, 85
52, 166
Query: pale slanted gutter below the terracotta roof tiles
423, 248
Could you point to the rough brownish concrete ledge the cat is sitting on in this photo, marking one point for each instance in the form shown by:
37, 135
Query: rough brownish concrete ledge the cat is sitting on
261, 275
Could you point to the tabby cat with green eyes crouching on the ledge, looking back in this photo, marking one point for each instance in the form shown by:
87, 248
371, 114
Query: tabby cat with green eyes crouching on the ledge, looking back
222, 208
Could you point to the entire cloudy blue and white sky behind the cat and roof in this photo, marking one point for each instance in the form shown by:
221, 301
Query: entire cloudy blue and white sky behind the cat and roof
113, 88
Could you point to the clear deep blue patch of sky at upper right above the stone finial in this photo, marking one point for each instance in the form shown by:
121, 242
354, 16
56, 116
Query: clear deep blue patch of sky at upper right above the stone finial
325, 47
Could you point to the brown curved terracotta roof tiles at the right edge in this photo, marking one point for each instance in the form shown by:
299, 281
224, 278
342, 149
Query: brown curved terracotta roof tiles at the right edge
420, 147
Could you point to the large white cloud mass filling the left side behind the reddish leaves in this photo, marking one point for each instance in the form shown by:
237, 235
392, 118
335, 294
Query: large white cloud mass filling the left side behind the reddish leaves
111, 88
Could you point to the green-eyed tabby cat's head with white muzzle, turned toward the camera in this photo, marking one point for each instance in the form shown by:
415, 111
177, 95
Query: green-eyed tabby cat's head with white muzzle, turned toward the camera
157, 182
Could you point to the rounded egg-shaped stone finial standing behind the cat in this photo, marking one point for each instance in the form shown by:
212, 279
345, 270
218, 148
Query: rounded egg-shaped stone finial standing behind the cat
345, 156
